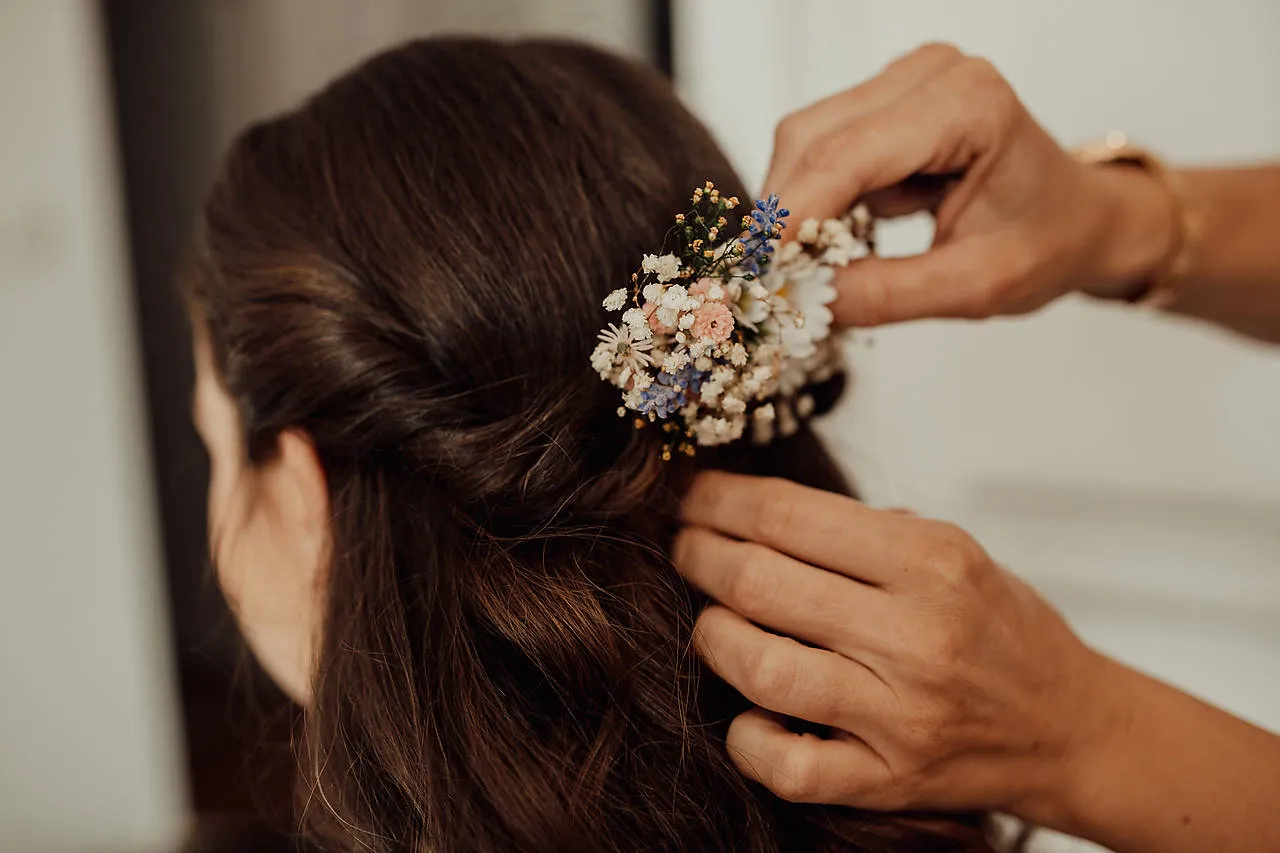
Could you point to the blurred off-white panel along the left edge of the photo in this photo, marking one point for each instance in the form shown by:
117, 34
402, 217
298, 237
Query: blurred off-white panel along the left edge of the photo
90, 756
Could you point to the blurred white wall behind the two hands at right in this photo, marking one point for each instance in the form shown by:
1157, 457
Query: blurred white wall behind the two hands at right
1130, 466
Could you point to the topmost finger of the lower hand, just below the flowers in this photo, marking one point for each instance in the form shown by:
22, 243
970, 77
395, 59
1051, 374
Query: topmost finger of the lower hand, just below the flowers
821, 528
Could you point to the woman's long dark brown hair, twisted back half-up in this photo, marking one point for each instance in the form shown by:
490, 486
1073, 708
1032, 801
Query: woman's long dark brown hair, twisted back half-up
410, 268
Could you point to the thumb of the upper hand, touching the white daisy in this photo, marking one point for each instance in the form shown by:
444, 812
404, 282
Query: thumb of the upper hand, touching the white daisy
956, 280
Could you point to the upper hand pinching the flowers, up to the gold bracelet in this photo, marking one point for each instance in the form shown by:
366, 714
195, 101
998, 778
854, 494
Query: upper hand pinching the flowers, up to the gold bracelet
1020, 222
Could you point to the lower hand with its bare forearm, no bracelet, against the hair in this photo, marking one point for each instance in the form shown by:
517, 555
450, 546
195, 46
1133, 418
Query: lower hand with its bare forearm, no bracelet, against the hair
949, 682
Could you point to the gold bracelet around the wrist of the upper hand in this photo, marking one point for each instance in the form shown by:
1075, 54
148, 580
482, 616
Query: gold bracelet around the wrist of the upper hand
1162, 288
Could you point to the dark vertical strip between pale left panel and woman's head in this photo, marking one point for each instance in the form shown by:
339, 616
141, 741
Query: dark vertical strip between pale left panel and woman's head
164, 101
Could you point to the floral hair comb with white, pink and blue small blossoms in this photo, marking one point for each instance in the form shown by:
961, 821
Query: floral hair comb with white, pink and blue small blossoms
726, 330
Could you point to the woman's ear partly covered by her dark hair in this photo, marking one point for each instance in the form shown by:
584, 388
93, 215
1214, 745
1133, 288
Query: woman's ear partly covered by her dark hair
292, 483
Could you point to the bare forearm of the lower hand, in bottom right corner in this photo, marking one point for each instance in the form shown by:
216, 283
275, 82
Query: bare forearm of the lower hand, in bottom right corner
1168, 773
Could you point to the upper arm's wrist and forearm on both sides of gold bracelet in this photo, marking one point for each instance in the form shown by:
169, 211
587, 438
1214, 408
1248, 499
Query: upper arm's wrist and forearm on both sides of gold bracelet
1236, 280
